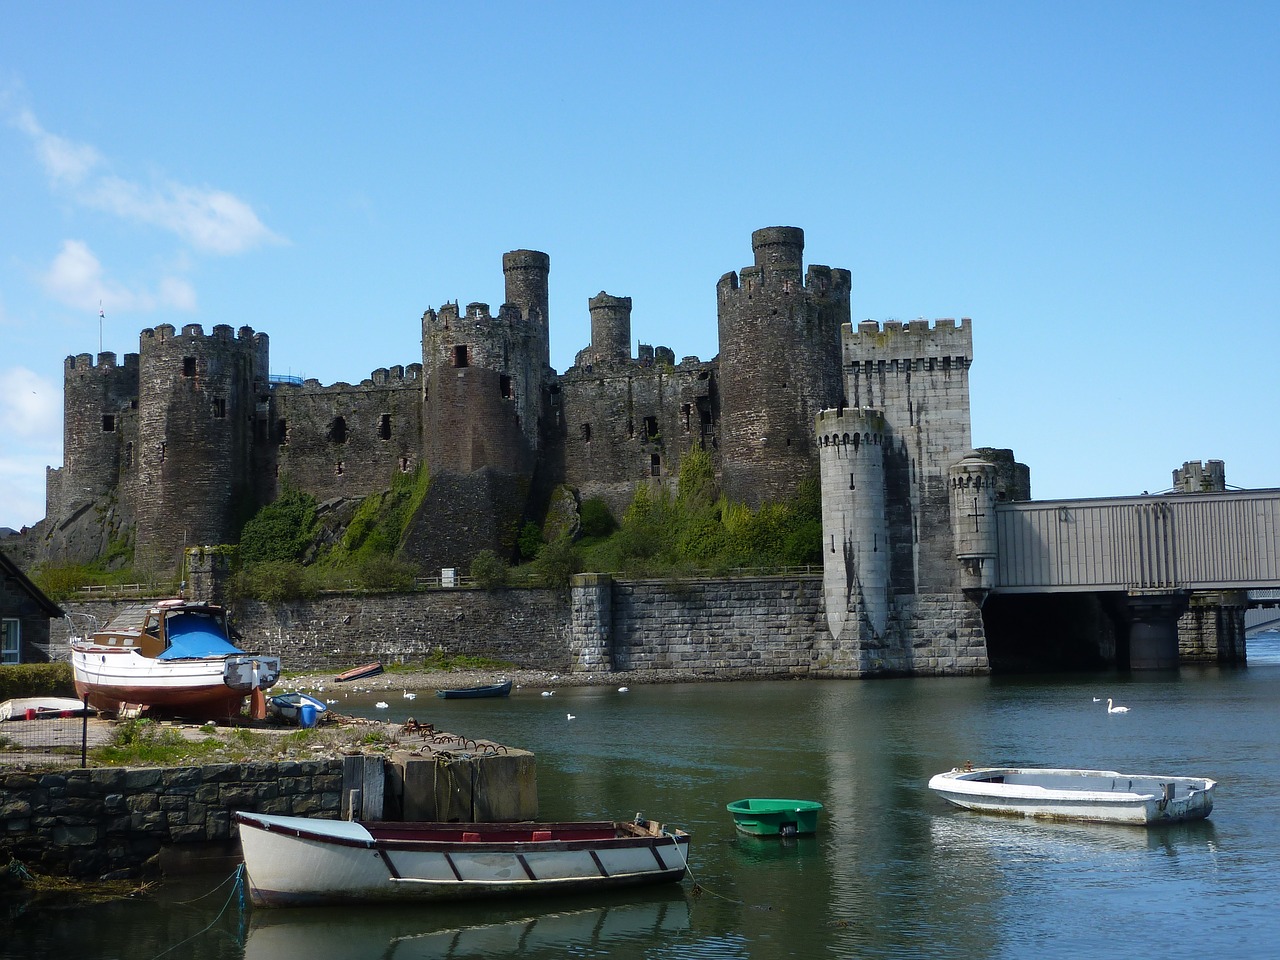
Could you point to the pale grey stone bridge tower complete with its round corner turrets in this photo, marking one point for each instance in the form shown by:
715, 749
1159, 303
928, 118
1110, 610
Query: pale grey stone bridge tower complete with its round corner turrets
903, 583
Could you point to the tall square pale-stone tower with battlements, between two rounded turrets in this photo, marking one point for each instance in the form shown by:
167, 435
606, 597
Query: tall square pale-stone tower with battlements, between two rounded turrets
918, 376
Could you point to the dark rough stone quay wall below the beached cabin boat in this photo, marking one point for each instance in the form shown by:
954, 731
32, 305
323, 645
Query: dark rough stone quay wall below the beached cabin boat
112, 822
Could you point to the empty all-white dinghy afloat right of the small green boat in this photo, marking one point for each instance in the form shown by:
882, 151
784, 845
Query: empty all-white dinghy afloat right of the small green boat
1094, 797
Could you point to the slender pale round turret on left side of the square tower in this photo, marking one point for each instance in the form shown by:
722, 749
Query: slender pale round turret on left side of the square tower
854, 523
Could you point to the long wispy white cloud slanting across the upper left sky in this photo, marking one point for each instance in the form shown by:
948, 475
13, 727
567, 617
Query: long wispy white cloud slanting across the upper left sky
211, 221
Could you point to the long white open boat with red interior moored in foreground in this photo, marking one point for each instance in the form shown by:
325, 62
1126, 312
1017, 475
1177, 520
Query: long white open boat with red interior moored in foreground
296, 861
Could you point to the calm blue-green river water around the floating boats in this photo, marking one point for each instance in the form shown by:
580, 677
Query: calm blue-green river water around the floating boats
893, 871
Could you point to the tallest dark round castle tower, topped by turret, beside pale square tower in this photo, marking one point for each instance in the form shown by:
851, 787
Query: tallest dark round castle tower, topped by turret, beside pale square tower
779, 364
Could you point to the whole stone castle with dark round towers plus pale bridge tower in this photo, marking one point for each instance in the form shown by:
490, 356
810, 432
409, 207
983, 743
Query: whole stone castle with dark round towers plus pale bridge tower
180, 444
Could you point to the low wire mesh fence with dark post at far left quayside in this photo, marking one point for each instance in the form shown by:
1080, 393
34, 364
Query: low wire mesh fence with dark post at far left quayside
39, 733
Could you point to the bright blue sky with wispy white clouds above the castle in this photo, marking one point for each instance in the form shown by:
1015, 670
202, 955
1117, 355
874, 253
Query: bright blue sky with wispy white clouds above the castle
1094, 184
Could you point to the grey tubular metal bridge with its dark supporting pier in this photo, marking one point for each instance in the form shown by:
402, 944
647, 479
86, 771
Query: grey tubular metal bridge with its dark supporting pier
1155, 550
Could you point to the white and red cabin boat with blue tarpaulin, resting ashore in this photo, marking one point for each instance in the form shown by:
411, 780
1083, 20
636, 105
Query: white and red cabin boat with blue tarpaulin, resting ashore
170, 657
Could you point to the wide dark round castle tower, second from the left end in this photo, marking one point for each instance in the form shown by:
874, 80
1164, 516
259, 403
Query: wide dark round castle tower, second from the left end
198, 405
